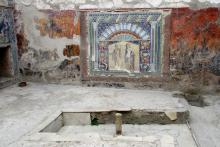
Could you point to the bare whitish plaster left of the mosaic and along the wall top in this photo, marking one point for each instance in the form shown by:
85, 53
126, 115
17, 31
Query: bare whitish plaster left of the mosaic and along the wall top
32, 8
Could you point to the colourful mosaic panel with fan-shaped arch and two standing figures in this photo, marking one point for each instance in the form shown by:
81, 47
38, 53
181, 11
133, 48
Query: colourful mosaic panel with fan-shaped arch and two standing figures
123, 42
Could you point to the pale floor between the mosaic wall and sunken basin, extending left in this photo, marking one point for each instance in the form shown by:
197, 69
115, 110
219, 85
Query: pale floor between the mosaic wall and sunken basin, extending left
23, 109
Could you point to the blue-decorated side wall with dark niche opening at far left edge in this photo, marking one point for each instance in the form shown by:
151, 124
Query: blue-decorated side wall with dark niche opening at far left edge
9, 60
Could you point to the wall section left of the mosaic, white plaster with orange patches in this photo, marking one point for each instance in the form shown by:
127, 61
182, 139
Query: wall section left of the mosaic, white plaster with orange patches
48, 42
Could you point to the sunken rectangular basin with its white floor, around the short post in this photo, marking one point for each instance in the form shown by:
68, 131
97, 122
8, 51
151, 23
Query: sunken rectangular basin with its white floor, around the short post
139, 127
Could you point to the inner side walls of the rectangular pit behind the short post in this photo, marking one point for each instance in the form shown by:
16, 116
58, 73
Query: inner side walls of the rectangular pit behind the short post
133, 116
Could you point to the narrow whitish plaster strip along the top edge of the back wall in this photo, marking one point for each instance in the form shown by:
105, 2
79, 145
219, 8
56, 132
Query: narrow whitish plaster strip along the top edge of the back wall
88, 4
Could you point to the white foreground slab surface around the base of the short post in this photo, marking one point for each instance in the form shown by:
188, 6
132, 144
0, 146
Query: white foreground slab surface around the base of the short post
172, 135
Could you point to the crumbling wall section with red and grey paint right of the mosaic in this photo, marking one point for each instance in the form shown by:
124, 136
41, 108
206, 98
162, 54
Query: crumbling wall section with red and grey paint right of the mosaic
195, 48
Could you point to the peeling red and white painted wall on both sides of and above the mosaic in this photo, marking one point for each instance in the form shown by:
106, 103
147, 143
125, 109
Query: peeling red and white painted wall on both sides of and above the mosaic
45, 55
